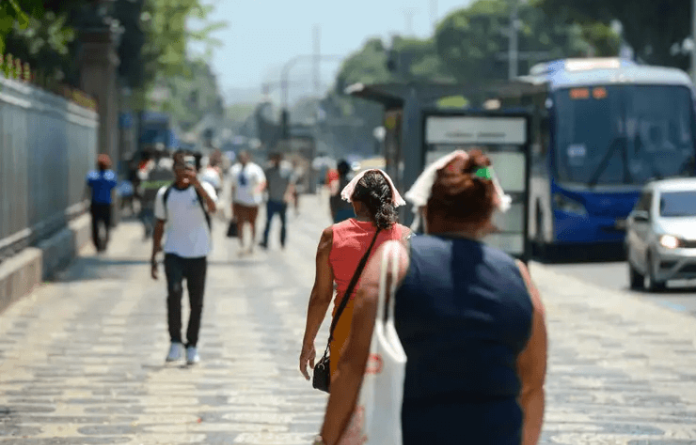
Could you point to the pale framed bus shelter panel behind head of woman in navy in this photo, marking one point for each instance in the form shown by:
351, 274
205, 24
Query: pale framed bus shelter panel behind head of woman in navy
505, 139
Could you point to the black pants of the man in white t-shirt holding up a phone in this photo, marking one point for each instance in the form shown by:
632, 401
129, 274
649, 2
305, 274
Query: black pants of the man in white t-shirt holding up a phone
193, 270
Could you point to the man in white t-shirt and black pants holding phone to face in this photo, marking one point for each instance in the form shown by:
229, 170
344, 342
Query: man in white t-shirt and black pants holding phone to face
182, 212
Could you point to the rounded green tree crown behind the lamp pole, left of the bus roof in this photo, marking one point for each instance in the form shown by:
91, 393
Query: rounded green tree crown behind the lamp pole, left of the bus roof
473, 42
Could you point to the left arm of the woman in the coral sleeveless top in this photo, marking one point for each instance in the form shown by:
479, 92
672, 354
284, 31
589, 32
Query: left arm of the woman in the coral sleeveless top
319, 300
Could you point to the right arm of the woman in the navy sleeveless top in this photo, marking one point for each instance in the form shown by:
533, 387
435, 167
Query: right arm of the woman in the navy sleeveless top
531, 366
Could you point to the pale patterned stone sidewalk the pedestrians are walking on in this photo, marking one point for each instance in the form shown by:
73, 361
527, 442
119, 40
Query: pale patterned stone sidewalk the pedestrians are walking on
82, 358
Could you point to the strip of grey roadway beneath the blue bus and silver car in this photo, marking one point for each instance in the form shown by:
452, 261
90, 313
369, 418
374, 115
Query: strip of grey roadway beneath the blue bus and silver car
680, 296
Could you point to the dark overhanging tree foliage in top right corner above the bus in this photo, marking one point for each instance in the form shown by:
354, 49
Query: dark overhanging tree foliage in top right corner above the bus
656, 29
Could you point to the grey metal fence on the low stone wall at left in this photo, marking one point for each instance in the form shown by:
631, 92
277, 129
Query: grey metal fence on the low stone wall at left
47, 146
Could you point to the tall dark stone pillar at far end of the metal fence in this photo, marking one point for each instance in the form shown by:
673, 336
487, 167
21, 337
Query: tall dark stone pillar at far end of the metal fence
98, 77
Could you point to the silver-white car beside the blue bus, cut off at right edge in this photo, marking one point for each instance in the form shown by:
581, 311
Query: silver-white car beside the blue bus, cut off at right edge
661, 234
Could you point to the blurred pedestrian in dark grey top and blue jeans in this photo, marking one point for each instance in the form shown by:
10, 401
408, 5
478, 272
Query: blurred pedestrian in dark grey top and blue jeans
280, 187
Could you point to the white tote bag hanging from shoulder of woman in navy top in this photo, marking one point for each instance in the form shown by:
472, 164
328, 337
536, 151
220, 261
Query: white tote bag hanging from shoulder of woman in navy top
377, 416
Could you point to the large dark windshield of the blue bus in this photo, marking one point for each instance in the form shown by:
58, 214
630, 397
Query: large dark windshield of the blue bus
627, 134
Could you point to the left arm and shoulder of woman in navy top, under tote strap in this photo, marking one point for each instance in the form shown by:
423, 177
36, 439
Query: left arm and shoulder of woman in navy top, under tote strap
345, 386
